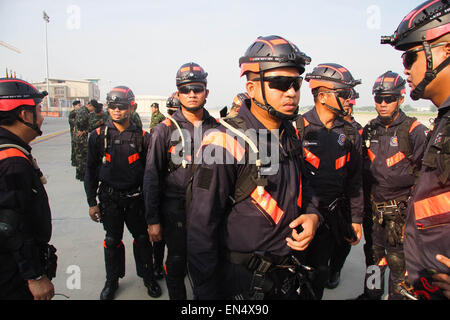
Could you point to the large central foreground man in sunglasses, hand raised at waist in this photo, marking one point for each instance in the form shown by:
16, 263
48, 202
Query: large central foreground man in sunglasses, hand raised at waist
248, 211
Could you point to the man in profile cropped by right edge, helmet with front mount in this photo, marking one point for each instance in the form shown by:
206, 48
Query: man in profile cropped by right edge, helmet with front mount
424, 36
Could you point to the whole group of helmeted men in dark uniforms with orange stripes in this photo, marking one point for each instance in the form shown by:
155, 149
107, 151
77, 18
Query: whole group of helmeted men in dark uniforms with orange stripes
252, 224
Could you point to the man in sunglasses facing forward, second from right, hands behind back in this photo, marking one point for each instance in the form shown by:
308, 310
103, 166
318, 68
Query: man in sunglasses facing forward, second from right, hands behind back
393, 146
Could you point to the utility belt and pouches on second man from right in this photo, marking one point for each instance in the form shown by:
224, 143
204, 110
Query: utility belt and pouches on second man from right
391, 215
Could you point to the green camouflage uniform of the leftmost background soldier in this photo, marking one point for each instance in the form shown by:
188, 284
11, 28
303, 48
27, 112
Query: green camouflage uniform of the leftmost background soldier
80, 137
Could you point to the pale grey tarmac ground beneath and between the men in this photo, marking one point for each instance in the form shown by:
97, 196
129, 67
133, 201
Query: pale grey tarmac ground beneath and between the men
79, 240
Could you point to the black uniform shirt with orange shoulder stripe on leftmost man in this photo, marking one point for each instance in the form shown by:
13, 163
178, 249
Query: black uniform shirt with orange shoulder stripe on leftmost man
22, 192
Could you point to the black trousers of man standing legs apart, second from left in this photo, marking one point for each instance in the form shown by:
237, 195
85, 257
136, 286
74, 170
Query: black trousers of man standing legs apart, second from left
117, 211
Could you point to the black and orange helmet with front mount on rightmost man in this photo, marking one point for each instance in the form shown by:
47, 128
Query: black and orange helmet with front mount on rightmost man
428, 21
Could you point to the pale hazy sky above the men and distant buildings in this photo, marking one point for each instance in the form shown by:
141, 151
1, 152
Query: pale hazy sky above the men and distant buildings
141, 44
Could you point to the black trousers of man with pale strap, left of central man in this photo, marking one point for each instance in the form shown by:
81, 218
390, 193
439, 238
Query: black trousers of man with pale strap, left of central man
174, 234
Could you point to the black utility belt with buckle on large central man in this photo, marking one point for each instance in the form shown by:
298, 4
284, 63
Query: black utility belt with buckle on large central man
263, 265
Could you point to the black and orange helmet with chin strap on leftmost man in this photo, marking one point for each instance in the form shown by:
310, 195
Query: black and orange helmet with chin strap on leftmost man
15, 93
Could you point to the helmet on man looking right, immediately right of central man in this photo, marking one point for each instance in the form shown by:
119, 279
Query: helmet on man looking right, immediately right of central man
332, 76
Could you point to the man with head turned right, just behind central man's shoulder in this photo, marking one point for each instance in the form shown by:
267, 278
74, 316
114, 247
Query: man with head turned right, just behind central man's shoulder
332, 153
